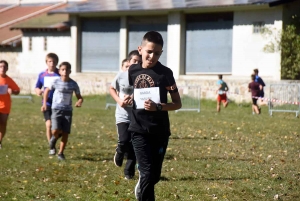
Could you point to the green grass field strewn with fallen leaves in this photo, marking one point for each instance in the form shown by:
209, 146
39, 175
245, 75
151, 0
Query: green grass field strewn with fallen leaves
233, 155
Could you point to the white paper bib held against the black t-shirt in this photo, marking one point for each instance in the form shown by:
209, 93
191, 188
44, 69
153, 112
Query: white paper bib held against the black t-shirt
143, 94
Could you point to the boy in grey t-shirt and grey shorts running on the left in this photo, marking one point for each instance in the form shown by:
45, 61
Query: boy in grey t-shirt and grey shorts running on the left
61, 117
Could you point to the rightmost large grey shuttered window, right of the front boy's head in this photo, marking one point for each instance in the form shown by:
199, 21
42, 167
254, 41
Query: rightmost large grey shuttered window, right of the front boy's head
209, 43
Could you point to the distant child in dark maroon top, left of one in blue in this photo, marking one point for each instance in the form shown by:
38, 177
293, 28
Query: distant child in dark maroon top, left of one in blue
255, 88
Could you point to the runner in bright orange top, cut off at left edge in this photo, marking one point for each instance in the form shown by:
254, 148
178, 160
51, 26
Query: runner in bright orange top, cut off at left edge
7, 87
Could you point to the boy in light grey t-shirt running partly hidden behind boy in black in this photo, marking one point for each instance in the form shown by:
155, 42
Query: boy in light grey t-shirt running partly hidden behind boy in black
121, 92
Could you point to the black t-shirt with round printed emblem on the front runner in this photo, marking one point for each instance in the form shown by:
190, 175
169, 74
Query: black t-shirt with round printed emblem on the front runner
143, 121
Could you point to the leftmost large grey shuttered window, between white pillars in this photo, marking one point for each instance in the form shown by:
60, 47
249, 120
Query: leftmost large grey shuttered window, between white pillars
100, 45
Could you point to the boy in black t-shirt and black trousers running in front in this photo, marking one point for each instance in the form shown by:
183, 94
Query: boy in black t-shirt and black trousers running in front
150, 124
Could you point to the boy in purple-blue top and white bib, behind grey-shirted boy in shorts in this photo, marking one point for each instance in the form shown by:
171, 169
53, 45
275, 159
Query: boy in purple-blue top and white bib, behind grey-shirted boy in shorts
44, 78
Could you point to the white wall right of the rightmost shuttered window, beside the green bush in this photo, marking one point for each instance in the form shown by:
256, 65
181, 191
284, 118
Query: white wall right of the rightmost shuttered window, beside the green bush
247, 51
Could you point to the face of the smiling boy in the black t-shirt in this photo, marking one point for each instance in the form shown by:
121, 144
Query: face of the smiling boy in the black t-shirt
150, 53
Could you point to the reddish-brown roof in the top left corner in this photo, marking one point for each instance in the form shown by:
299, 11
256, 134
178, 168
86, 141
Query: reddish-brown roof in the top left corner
14, 14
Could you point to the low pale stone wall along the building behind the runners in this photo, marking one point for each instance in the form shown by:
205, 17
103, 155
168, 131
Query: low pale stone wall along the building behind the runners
97, 84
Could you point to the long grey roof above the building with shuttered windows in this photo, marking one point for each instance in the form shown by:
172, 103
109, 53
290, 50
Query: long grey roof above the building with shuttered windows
140, 5
